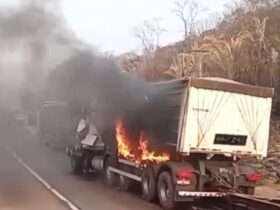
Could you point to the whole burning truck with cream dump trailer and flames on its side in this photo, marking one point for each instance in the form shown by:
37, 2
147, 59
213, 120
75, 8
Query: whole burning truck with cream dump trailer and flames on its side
184, 141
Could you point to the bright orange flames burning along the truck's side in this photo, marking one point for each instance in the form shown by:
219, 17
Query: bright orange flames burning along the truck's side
125, 150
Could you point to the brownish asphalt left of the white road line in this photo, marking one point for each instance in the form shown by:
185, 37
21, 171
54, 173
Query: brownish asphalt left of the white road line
19, 190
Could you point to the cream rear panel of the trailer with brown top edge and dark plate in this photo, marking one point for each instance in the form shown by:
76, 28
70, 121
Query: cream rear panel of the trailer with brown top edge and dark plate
222, 118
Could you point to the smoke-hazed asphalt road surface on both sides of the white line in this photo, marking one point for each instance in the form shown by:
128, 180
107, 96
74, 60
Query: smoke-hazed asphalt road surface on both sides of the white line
20, 190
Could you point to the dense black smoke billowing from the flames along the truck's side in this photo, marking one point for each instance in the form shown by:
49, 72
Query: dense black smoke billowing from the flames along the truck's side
97, 83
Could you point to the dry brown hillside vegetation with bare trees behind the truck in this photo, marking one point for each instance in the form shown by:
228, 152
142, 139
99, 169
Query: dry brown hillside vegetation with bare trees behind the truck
242, 45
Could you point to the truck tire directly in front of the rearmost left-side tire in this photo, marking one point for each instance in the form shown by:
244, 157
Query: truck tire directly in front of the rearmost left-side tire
148, 185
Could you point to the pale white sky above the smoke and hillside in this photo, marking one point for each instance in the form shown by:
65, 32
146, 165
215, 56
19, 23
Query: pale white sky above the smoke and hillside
108, 24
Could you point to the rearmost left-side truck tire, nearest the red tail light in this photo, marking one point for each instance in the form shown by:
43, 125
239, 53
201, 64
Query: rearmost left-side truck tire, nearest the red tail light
165, 190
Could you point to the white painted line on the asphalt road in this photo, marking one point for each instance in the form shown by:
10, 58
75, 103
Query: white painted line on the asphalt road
71, 205
